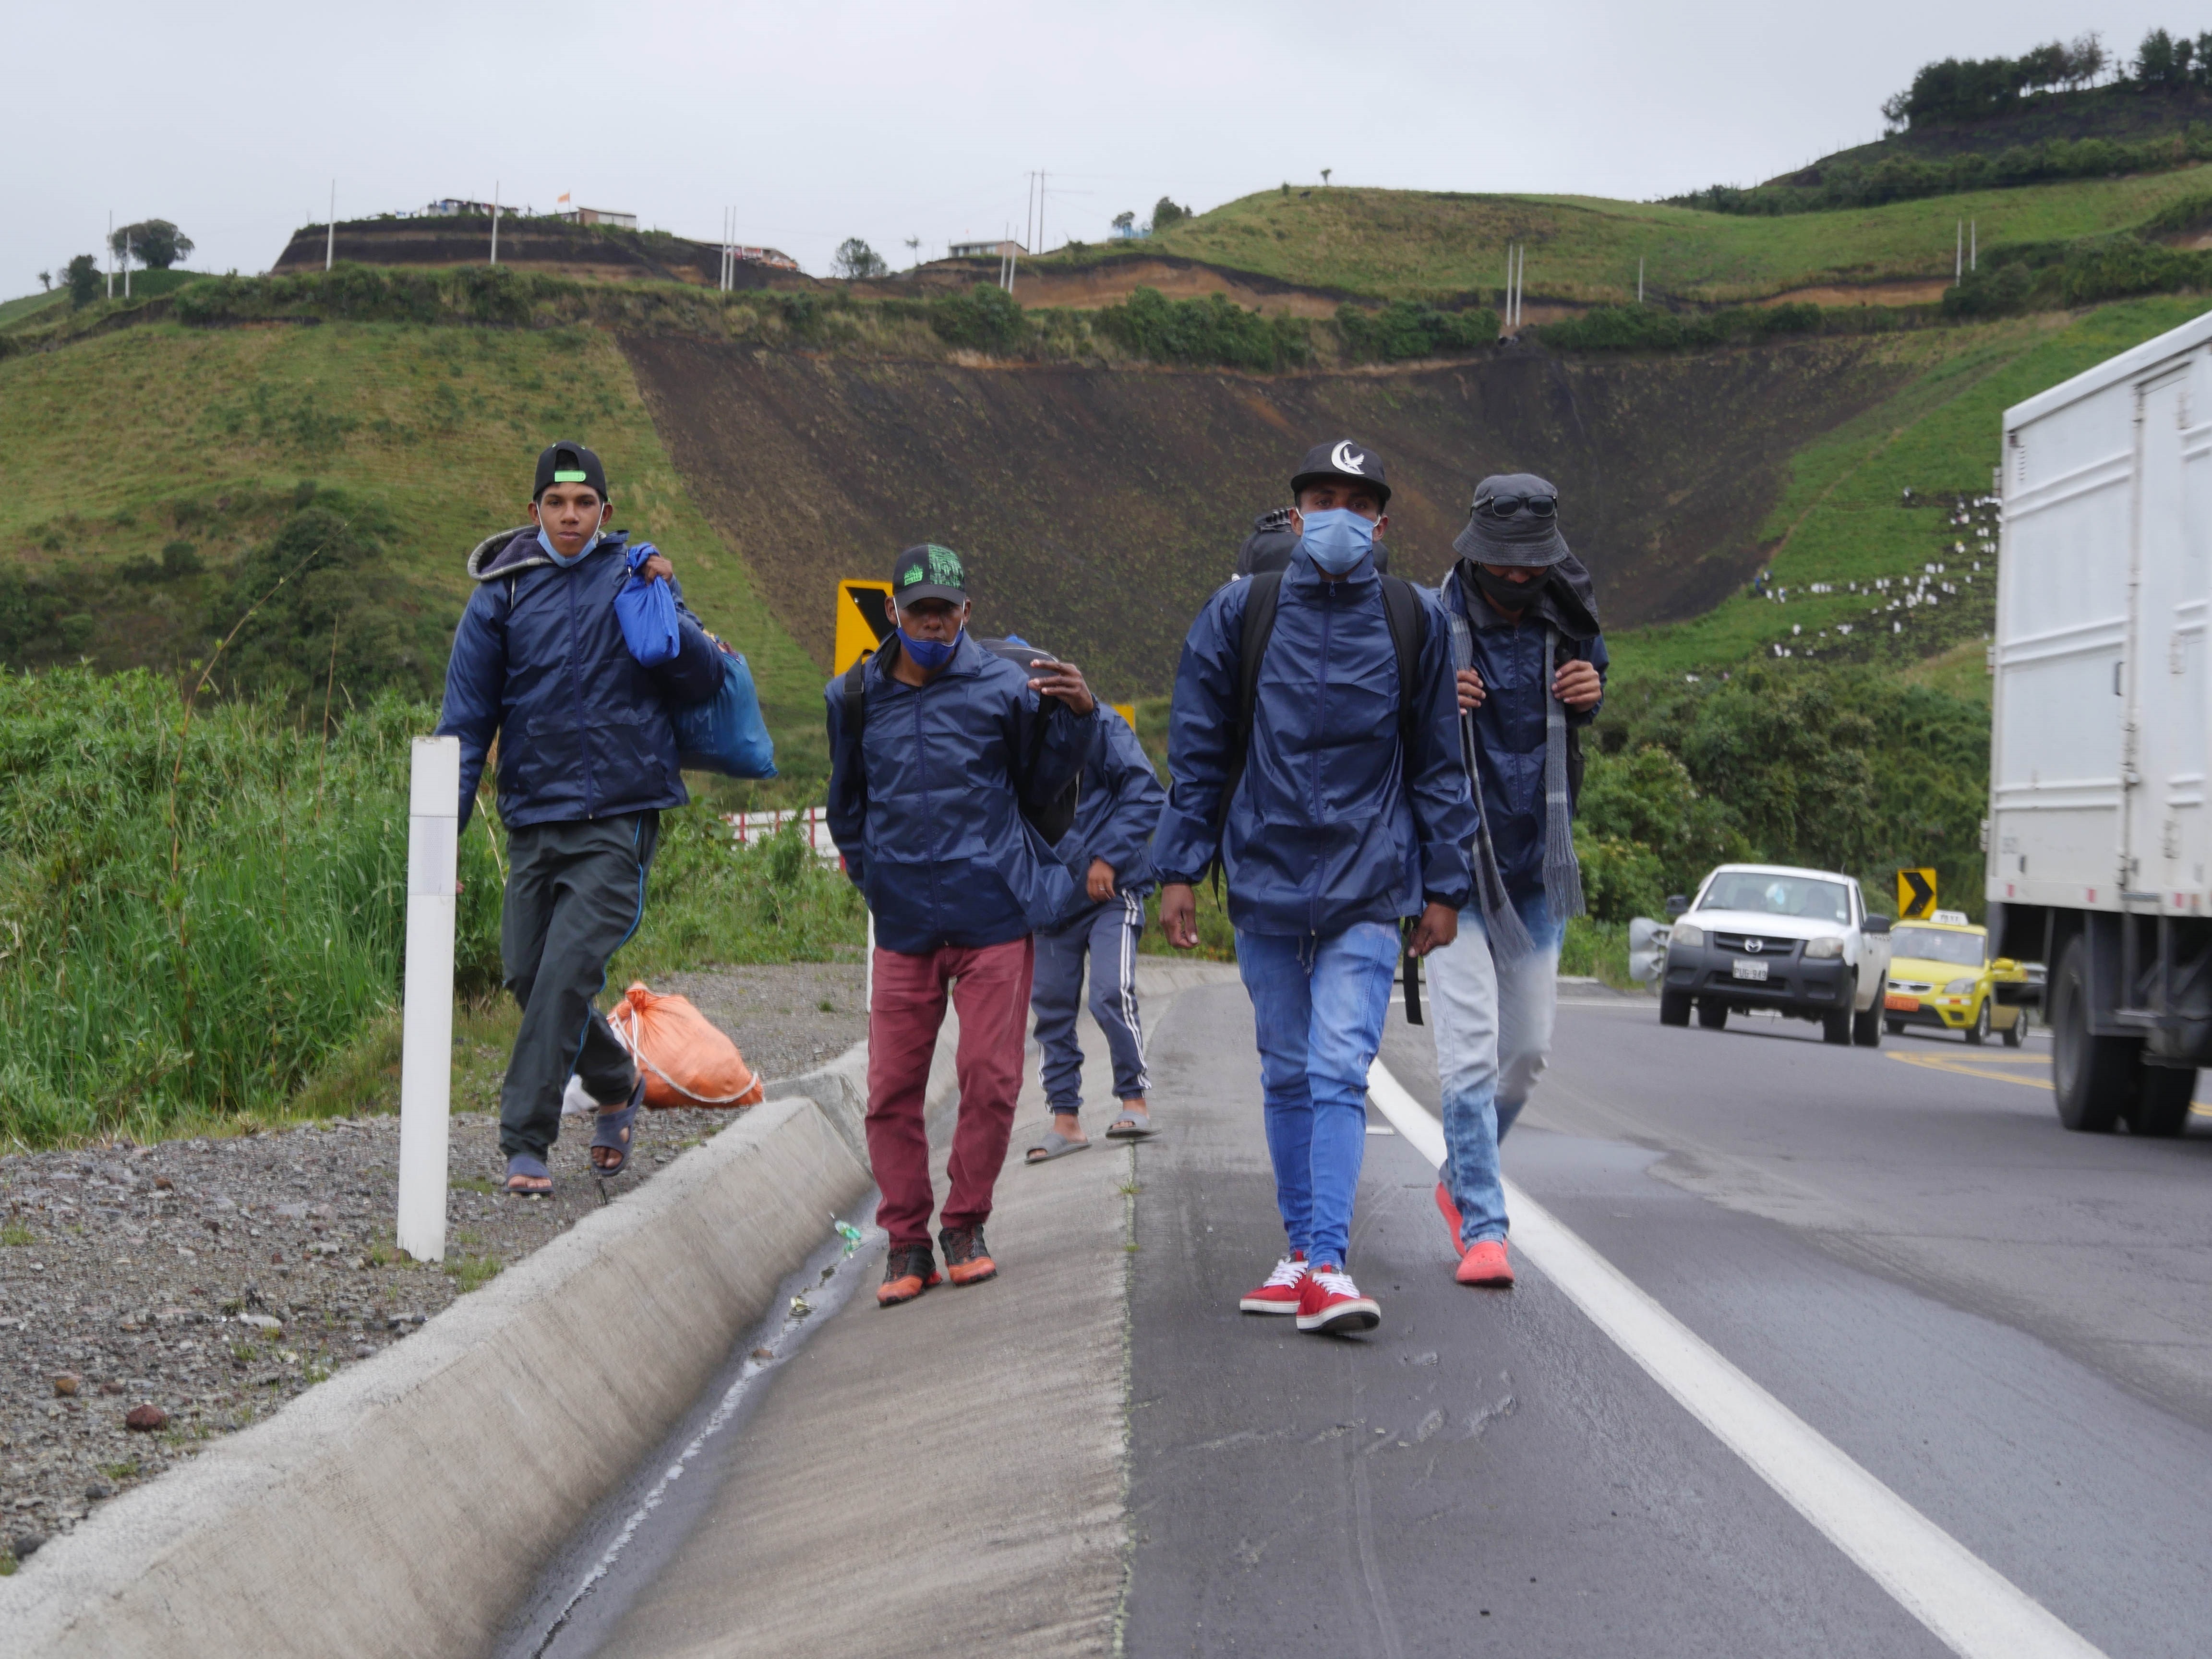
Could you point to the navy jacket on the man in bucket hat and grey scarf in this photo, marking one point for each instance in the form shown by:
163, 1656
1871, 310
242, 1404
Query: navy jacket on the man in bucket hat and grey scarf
1510, 731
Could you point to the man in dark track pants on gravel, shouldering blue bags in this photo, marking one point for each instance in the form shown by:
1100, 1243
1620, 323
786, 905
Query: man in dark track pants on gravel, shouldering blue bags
587, 762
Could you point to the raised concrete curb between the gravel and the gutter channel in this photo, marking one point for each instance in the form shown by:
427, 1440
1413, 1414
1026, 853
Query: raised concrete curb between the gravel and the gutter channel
406, 1505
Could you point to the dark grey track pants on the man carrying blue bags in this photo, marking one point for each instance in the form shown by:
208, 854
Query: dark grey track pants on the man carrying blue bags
574, 897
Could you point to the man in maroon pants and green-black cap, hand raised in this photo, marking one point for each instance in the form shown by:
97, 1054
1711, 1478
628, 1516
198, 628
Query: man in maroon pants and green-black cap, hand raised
935, 751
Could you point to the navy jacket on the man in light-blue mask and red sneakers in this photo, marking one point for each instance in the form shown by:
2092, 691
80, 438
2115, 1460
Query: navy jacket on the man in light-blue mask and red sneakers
1331, 824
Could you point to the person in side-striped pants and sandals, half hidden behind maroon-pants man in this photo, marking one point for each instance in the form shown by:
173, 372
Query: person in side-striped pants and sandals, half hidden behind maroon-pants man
1112, 855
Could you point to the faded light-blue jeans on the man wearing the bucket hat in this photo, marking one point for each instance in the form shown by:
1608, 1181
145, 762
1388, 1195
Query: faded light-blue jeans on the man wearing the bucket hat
1492, 1041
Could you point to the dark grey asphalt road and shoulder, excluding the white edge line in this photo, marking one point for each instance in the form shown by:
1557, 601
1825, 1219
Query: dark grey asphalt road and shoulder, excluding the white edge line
2001, 1322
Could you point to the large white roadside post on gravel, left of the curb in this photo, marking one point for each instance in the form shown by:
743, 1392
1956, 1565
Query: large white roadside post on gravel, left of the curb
428, 1021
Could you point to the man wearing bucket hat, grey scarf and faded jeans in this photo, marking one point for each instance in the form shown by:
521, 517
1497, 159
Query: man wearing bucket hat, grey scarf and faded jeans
1532, 671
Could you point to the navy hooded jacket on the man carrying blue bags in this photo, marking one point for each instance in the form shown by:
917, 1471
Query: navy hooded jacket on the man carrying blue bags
541, 665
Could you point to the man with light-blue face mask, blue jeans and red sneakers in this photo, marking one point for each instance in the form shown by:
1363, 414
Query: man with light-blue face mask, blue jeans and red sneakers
1319, 762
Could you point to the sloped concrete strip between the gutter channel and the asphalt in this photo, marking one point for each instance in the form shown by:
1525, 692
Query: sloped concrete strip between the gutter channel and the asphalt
979, 1503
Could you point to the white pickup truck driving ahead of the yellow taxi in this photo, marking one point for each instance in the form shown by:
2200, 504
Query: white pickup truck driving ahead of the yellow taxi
1773, 937
